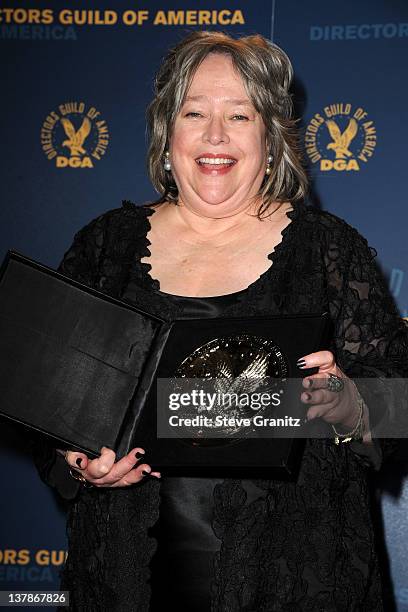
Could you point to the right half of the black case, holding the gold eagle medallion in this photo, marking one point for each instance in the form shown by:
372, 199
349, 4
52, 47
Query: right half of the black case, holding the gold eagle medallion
243, 355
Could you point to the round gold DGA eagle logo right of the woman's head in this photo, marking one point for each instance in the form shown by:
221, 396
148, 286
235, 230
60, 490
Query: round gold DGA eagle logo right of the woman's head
340, 138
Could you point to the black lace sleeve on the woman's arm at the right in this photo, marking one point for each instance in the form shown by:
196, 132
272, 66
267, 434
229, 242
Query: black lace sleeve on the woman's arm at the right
371, 339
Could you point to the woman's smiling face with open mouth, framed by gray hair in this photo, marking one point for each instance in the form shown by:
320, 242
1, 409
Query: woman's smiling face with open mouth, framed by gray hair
217, 147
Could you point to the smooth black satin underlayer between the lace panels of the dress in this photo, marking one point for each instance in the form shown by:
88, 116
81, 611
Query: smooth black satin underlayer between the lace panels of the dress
183, 564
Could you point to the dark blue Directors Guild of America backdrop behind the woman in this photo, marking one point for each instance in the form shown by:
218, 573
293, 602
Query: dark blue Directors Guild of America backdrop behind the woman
76, 79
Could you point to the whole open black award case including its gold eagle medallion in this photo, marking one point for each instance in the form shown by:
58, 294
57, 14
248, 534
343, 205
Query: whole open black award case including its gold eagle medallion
89, 371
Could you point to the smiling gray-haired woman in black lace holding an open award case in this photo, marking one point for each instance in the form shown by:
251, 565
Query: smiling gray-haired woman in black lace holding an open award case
230, 236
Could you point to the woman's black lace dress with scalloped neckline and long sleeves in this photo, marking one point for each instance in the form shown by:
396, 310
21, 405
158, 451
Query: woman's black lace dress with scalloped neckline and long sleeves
272, 546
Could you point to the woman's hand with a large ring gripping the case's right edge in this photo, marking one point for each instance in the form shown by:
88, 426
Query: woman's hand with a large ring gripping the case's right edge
332, 406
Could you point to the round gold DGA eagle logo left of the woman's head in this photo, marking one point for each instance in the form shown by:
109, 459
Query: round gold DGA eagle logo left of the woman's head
74, 136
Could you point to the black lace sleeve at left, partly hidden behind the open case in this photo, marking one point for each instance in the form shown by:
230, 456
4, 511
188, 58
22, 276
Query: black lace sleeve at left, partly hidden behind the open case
80, 262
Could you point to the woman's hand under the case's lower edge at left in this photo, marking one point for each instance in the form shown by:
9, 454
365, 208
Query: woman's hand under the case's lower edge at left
104, 472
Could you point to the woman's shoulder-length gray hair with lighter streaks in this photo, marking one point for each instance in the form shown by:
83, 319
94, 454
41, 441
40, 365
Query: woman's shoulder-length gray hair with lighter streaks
267, 73
